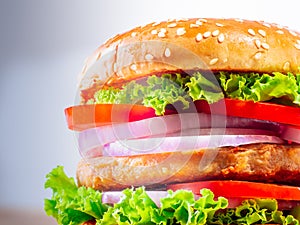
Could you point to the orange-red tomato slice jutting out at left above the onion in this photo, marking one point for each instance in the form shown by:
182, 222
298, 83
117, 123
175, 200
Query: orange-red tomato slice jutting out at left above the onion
82, 117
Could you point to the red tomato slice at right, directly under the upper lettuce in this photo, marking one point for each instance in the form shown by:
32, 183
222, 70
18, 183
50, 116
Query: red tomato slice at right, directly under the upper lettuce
254, 110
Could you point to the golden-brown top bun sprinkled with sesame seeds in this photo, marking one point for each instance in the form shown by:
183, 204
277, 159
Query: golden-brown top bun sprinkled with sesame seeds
188, 44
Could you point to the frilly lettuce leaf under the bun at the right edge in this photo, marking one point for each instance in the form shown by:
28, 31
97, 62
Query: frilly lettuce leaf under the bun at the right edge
261, 88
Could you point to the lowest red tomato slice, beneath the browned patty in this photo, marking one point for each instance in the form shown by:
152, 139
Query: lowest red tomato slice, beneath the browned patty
242, 189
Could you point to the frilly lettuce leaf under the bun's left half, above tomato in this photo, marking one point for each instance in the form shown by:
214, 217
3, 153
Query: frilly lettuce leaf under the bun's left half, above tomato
158, 92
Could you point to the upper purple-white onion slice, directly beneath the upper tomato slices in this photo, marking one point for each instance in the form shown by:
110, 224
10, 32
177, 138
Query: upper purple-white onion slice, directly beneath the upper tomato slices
163, 126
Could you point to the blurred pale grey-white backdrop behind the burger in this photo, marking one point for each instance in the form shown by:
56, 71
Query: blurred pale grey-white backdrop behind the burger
42, 48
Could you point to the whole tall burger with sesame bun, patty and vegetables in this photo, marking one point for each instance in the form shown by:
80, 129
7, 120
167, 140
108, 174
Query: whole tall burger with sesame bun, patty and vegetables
190, 121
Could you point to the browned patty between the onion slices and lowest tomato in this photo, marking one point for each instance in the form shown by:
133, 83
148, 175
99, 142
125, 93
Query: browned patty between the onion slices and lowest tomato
269, 163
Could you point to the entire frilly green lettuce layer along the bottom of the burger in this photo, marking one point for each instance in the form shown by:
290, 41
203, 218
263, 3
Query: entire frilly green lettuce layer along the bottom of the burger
72, 205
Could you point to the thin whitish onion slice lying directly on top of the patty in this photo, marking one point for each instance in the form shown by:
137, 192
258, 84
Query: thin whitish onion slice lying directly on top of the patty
183, 143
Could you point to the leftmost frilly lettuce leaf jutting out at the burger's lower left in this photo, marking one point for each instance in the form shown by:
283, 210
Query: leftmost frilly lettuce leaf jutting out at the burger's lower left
70, 204
